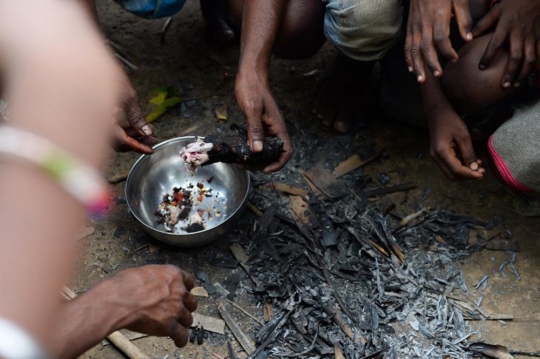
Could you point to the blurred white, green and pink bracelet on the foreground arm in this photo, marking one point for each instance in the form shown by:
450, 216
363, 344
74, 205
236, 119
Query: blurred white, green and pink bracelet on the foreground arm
75, 177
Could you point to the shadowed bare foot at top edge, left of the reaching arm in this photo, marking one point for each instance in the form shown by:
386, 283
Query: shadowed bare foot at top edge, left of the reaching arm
219, 22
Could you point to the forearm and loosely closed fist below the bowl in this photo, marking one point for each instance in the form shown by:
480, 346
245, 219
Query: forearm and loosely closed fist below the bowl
153, 300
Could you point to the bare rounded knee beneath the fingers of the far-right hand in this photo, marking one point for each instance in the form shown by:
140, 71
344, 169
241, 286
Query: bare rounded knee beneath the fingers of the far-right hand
470, 89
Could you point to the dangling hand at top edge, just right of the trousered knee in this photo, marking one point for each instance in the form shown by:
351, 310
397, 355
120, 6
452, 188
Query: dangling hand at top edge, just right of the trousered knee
428, 33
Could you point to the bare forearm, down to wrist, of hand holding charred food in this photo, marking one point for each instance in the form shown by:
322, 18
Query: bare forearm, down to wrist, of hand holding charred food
260, 24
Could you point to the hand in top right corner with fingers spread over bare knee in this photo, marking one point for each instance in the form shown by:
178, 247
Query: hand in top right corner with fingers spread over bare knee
516, 22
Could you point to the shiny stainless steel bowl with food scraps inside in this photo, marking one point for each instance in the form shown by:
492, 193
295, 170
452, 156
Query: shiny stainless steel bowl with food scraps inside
153, 176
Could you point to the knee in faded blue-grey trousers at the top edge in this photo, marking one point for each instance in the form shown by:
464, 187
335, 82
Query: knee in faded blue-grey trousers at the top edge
363, 30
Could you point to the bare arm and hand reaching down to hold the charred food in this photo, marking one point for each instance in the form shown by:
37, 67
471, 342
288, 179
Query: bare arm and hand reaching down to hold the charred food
260, 24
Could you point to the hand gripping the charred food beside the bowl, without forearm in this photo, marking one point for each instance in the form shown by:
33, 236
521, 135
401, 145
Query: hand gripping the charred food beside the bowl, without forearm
263, 115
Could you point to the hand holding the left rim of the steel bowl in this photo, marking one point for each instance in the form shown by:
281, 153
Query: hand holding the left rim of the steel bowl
132, 133
